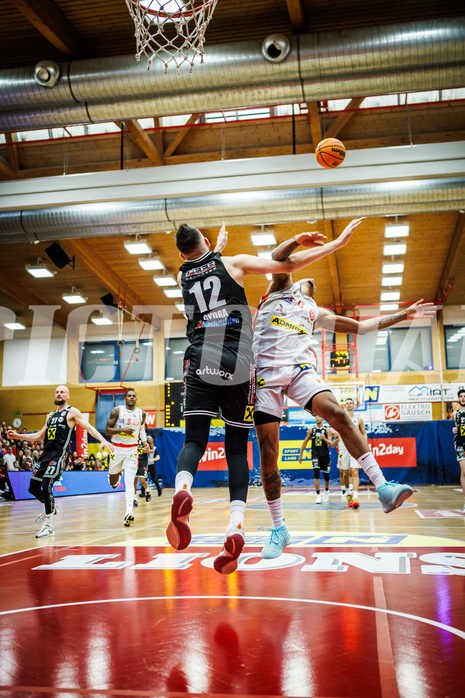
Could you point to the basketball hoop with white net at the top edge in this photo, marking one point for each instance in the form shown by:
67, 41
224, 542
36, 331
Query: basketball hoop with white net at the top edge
172, 30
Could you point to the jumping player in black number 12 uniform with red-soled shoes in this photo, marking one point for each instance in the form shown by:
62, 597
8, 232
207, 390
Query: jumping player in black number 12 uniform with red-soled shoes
219, 370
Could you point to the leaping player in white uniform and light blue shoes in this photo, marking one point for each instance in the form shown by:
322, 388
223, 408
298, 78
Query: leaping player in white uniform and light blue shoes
286, 366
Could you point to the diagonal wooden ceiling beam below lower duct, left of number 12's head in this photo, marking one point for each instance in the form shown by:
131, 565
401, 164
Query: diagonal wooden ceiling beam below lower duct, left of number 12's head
103, 272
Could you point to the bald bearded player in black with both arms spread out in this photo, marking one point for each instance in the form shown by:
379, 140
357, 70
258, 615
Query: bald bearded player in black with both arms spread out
56, 435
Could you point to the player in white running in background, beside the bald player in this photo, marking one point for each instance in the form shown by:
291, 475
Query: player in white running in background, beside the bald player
124, 425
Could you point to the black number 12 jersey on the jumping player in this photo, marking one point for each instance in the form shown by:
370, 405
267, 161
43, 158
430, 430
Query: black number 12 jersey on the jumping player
219, 321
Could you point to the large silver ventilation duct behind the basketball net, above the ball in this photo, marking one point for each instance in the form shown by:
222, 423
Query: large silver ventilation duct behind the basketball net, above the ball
328, 65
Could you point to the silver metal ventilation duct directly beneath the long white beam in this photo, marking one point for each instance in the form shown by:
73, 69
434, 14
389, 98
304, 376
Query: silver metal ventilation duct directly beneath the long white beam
277, 206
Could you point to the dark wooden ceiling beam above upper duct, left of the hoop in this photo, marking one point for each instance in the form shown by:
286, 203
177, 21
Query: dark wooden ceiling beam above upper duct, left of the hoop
49, 20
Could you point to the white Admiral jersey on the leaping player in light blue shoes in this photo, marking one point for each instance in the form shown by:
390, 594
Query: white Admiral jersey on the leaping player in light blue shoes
283, 328
